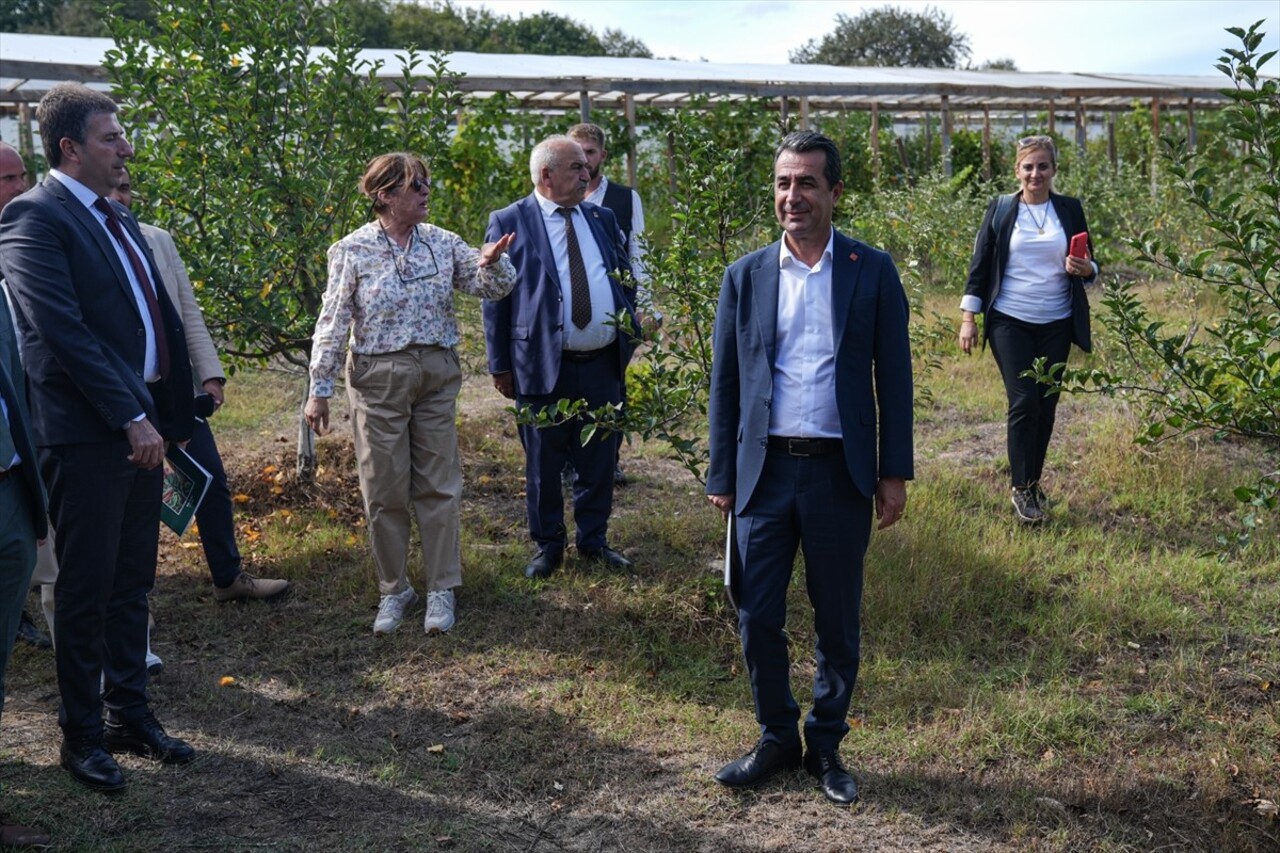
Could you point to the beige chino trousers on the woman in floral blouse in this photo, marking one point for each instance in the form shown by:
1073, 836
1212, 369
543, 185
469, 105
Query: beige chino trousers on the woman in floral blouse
404, 410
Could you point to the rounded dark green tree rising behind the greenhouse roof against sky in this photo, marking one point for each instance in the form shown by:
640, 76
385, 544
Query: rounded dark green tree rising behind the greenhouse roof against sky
890, 38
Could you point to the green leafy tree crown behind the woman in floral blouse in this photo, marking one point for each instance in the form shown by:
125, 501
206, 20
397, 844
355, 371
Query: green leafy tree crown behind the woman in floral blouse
250, 148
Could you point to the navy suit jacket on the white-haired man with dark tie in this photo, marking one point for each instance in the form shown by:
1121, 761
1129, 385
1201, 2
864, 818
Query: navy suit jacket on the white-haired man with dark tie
523, 330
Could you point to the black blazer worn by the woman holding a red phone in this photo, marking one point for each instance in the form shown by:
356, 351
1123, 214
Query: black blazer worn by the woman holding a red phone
991, 256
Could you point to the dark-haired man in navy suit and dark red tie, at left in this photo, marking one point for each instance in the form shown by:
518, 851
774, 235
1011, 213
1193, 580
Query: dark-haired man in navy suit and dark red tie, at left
111, 385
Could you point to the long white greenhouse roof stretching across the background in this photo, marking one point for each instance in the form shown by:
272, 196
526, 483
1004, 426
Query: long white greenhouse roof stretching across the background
31, 63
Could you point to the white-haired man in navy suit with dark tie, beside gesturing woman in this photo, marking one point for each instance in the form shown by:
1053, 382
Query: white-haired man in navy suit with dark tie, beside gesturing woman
566, 332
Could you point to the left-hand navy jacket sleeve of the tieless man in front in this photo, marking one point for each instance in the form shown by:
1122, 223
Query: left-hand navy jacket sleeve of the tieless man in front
724, 408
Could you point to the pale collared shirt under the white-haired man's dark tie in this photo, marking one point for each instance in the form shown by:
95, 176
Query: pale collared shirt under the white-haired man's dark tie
601, 331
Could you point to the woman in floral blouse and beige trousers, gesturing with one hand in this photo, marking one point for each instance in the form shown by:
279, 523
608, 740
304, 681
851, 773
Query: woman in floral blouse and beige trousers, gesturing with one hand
391, 288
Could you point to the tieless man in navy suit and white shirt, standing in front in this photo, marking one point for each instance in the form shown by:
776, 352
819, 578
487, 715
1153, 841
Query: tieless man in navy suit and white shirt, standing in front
811, 357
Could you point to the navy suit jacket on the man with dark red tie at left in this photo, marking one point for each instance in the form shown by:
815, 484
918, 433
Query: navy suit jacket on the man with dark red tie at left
83, 335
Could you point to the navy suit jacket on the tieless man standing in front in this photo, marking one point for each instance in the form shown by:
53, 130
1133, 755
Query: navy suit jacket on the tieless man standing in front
874, 370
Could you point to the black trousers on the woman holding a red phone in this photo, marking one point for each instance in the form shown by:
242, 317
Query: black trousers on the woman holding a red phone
1017, 345
